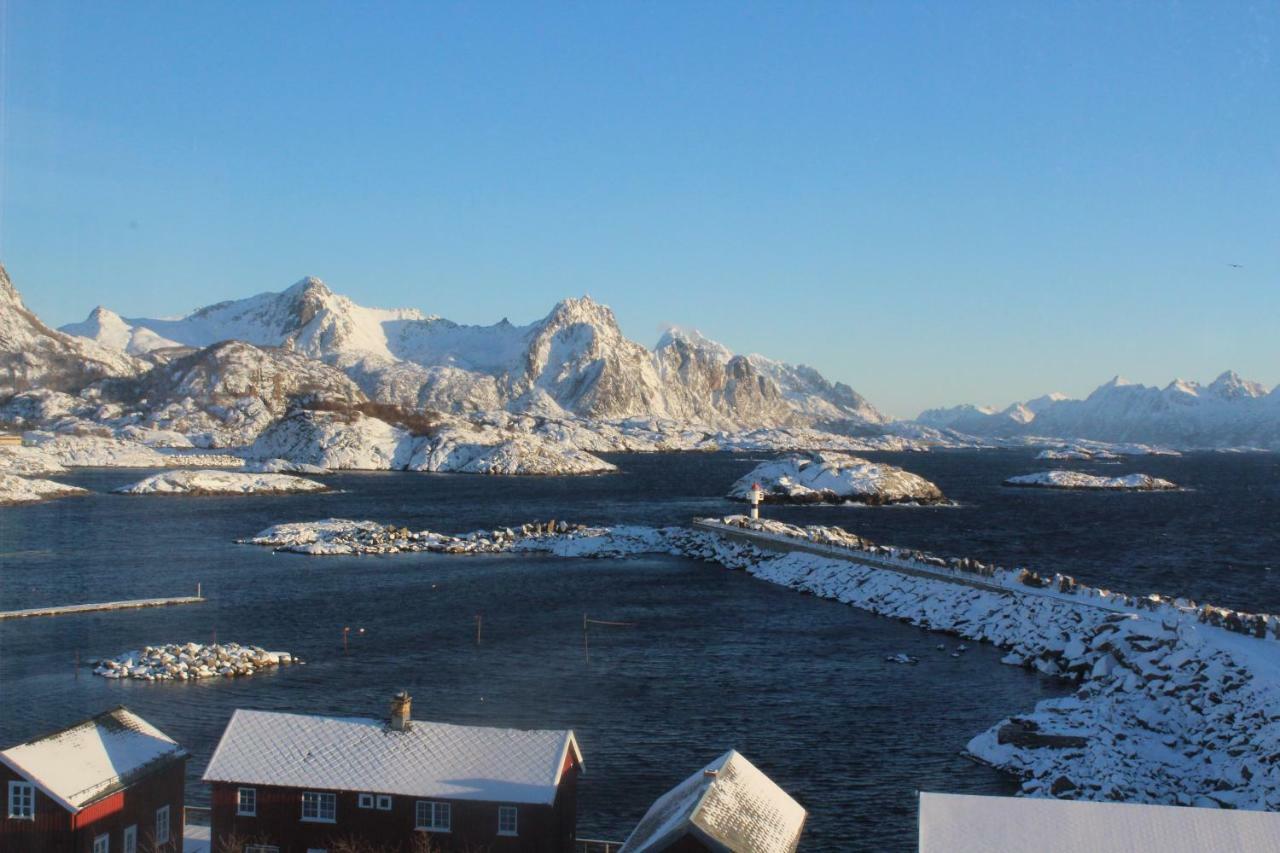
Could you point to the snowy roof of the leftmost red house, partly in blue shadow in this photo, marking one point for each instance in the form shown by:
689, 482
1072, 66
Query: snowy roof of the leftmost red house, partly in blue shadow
93, 759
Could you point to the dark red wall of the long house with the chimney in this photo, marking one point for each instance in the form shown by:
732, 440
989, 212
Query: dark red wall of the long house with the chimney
542, 829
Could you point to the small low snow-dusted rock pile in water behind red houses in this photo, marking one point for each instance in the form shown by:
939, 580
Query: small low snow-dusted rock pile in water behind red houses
193, 662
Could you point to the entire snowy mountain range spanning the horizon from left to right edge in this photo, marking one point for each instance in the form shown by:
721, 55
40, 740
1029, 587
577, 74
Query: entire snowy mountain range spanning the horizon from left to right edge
225, 373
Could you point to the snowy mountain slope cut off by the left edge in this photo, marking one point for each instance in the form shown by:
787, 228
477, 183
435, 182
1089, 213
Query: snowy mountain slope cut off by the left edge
35, 357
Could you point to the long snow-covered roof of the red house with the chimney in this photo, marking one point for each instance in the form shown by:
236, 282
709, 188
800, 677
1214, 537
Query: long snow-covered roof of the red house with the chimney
427, 760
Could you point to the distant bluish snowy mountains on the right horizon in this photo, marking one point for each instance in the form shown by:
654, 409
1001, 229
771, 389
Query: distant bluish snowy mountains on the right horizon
1231, 412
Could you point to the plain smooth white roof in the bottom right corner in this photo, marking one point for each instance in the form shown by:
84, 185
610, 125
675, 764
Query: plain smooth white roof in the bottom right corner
964, 824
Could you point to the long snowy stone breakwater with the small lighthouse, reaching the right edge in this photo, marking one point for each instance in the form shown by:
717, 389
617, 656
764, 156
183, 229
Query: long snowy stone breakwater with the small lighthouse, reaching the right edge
1177, 703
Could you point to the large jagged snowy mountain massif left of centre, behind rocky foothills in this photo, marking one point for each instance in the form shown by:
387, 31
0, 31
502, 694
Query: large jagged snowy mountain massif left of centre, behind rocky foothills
574, 362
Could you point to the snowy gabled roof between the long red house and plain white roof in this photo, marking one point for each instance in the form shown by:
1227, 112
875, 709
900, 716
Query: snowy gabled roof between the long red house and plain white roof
728, 806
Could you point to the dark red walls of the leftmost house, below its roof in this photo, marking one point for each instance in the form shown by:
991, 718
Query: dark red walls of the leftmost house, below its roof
60, 832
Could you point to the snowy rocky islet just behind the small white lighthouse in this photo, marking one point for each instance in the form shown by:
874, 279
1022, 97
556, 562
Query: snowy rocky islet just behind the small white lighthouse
835, 478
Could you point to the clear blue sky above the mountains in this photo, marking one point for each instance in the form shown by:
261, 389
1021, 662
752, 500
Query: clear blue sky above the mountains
936, 203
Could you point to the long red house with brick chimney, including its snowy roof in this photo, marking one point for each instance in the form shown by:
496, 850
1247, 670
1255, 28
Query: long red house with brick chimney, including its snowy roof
291, 783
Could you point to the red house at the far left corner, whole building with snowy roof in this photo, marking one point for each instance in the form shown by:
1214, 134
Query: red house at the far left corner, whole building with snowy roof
111, 784
